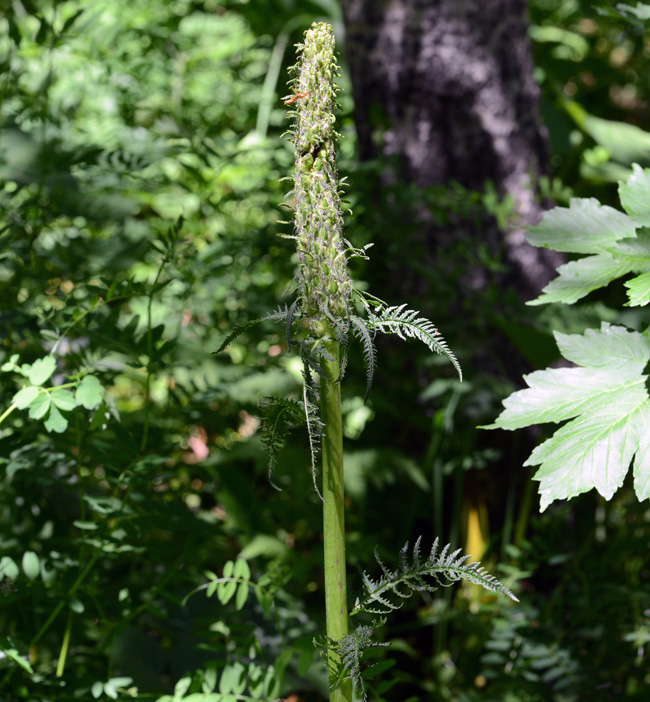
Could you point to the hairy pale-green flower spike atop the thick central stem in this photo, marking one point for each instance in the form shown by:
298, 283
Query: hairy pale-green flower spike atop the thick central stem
325, 285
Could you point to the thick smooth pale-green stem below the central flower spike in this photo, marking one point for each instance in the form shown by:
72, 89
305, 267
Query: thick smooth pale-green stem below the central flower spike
336, 604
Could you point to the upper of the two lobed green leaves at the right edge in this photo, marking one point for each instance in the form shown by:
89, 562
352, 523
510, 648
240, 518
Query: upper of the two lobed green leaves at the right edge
618, 244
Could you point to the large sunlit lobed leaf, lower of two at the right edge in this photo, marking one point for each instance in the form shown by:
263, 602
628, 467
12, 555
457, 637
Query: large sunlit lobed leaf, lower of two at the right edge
606, 400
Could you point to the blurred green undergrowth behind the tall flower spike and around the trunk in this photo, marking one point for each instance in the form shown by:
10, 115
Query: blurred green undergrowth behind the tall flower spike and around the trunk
140, 152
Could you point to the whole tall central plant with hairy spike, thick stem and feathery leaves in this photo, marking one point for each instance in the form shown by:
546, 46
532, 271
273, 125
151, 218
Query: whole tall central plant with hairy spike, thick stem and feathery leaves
326, 313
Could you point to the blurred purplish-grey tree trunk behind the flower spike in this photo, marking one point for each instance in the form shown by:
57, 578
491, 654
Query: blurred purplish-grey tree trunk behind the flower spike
445, 89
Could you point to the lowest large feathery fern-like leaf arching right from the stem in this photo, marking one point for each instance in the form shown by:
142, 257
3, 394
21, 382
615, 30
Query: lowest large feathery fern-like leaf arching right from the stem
440, 569
